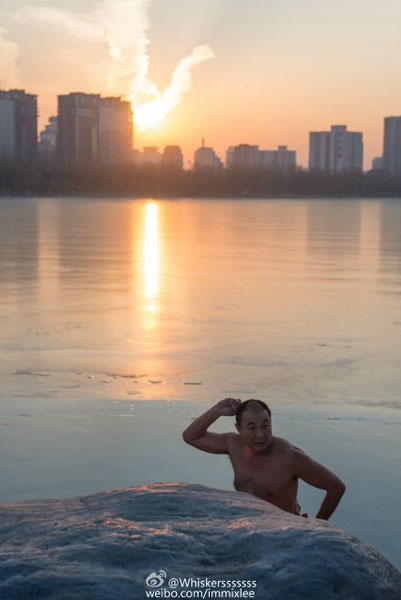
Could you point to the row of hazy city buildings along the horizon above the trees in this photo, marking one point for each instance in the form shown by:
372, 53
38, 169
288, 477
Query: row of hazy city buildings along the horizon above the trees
89, 129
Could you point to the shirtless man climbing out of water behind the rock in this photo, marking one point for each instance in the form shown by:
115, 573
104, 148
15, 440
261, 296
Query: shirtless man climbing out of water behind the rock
264, 465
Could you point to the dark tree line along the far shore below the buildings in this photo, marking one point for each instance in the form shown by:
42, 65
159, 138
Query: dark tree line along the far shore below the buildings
153, 180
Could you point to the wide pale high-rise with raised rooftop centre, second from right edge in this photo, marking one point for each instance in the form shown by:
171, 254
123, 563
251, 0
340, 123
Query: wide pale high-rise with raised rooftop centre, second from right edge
335, 150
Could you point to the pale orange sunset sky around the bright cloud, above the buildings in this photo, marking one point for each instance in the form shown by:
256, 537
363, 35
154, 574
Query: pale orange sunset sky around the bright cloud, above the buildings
277, 72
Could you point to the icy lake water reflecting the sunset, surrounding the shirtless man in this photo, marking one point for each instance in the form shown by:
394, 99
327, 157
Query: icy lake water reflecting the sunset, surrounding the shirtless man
123, 319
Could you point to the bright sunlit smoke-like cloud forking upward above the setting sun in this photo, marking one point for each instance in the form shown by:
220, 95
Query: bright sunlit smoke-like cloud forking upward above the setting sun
123, 26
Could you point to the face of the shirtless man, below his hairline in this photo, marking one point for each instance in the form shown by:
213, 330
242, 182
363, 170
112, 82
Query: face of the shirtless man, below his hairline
255, 428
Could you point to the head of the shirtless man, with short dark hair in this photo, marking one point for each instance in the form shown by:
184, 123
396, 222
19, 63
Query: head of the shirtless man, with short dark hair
253, 423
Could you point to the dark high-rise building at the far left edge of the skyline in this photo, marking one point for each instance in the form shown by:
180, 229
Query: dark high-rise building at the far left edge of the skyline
18, 126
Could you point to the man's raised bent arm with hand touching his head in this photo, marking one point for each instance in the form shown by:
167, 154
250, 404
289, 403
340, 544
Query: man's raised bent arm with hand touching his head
196, 433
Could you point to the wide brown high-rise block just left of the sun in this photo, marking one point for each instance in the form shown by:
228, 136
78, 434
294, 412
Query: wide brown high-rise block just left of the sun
94, 130
